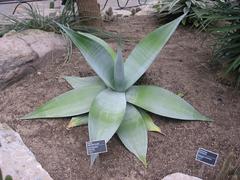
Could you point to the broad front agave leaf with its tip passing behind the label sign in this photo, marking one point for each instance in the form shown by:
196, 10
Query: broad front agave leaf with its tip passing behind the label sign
105, 116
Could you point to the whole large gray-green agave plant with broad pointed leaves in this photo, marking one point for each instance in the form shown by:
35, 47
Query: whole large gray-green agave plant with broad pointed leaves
109, 103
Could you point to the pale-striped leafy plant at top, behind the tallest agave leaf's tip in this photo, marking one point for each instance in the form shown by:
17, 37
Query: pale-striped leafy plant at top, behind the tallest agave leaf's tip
169, 9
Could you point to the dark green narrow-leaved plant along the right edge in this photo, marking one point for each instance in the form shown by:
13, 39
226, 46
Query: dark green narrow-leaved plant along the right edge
226, 17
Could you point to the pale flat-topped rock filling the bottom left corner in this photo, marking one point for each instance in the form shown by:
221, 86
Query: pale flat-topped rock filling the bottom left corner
16, 159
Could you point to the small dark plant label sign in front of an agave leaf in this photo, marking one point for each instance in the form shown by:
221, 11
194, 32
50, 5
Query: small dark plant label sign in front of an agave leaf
96, 147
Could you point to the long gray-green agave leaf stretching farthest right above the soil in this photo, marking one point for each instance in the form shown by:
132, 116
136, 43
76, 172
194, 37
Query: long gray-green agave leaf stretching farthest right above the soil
162, 102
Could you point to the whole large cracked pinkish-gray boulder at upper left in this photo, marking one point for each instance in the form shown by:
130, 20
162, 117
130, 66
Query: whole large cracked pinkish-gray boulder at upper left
21, 53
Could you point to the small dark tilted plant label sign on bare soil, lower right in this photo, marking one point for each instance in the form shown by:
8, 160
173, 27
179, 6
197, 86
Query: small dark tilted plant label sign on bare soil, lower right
207, 157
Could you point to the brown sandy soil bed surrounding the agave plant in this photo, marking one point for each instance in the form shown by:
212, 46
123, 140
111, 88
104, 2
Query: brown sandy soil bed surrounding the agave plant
182, 67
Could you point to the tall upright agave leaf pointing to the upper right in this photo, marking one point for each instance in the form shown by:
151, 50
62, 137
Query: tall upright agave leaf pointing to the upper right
147, 50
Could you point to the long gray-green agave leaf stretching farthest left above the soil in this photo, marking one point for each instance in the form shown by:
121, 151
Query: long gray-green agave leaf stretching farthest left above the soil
71, 103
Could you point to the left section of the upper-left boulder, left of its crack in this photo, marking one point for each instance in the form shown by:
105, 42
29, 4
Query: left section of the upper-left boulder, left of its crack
16, 56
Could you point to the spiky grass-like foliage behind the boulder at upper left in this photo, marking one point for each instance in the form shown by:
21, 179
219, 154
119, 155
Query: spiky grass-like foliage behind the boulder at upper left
36, 20
